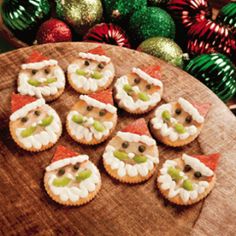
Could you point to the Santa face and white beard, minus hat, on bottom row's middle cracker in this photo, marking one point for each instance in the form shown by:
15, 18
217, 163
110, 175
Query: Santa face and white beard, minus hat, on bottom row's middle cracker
131, 154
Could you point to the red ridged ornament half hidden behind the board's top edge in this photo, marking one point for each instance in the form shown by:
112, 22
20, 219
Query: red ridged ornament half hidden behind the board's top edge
107, 33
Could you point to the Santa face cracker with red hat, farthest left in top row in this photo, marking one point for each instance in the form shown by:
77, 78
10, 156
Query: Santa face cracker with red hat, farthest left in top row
41, 77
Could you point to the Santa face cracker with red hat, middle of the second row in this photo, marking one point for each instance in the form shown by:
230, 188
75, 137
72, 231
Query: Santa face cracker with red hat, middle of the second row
93, 118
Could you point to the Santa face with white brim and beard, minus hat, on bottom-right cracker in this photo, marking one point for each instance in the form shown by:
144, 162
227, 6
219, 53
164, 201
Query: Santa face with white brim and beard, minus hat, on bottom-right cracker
186, 178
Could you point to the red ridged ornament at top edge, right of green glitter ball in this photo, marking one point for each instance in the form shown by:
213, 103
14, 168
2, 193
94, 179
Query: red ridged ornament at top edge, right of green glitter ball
186, 12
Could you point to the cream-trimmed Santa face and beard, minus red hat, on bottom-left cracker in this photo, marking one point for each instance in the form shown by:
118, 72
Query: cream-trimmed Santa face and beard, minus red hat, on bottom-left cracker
73, 180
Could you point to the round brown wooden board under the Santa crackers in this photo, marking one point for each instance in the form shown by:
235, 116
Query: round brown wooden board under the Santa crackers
119, 209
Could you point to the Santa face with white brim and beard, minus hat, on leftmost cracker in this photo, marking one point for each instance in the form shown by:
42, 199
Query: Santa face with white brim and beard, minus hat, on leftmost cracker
36, 125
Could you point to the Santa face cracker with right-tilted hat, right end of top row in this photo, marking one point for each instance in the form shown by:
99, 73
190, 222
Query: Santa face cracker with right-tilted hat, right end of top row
139, 91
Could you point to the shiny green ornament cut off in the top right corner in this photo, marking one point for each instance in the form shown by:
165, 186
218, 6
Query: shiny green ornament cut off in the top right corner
227, 16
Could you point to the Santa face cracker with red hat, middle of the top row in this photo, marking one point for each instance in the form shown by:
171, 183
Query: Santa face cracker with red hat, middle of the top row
92, 71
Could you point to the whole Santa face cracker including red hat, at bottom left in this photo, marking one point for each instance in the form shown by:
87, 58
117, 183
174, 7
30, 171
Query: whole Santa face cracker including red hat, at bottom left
71, 179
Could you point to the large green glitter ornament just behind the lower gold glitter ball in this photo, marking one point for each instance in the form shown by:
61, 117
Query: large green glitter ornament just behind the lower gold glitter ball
150, 22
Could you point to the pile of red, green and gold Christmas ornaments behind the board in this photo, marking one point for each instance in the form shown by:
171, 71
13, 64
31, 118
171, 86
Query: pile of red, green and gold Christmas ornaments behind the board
190, 34
